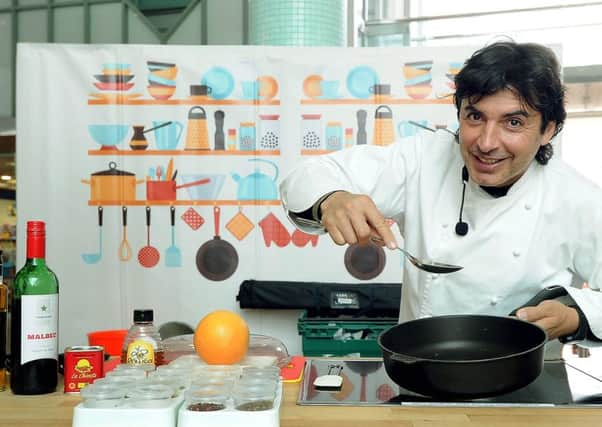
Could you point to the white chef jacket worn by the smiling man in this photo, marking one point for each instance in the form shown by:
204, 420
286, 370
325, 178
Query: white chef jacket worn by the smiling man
546, 231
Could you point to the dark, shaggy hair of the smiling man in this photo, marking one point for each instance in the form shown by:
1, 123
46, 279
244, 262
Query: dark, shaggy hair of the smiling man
530, 70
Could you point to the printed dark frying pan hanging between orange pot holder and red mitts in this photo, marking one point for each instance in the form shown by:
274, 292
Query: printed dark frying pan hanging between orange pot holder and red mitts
216, 259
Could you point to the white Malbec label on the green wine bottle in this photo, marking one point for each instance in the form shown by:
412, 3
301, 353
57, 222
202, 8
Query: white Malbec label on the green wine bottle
39, 326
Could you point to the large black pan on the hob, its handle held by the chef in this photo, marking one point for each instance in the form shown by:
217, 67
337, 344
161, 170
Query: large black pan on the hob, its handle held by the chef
466, 356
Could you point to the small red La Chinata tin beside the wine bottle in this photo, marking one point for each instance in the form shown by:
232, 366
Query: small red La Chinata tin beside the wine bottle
83, 365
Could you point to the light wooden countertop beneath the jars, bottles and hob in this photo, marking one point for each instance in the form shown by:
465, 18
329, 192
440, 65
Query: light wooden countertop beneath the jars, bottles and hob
56, 410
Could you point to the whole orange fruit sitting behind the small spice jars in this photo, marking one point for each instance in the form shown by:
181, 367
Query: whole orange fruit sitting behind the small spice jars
221, 338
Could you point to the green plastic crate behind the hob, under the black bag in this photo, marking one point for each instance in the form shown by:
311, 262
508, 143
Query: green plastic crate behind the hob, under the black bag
342, 335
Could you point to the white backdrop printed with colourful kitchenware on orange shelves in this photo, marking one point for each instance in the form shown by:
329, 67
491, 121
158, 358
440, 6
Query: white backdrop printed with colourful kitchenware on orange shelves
157, 167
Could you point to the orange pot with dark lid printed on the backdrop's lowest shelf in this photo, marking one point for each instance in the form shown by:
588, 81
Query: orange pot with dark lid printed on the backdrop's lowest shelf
112, 185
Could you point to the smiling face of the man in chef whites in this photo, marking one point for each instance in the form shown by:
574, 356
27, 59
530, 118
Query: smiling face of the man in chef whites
499, 137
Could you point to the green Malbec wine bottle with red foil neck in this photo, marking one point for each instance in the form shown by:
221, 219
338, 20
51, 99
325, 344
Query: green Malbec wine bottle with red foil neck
34, 320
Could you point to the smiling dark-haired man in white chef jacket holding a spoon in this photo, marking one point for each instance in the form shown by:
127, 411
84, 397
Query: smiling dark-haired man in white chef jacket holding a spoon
491, 198
